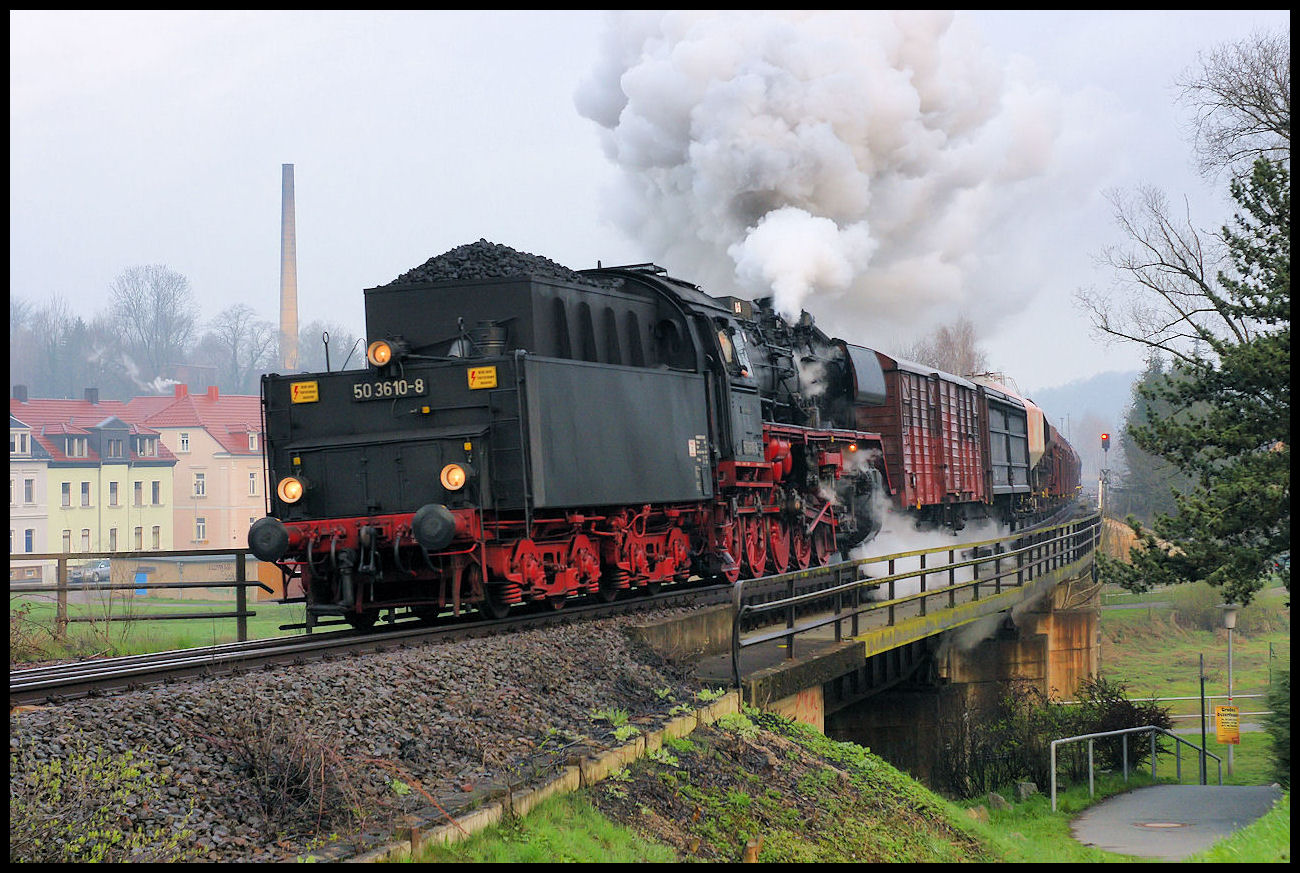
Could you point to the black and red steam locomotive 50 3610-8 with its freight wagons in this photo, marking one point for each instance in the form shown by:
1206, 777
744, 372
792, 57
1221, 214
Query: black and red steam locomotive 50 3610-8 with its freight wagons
525, 433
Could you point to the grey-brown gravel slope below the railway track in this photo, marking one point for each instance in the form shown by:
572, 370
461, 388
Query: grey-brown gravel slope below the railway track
441, 726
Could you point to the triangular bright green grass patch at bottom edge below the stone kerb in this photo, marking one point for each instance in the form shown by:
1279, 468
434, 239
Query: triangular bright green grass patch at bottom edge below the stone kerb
561, 829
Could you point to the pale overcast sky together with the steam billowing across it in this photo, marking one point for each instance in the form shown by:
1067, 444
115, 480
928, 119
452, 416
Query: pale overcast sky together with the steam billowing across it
158, 138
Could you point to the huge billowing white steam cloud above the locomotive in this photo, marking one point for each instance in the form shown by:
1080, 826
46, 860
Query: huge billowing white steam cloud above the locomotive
879, 163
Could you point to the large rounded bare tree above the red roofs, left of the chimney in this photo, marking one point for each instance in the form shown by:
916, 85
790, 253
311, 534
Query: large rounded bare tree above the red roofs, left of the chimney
154, 309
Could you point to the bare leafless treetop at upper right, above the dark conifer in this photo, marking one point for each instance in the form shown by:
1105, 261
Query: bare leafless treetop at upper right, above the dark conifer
1241, 98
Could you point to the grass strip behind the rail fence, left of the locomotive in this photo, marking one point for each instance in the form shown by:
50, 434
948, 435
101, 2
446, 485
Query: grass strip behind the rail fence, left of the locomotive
32, 636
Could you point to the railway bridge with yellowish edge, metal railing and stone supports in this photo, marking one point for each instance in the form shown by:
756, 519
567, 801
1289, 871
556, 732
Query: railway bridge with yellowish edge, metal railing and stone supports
891, 652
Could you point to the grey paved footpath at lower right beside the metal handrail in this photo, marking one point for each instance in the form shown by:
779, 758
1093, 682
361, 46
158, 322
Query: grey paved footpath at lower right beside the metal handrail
1172, 822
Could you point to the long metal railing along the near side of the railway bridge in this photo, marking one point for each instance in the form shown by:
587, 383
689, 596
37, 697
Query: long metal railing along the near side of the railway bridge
998, 564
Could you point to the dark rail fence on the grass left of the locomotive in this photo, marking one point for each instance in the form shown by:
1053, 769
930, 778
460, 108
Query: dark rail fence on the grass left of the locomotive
63, 587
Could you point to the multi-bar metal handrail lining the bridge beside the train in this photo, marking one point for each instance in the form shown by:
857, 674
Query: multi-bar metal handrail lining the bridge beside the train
1081, 537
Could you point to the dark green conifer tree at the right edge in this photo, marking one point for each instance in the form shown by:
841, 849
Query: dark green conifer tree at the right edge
1229, 425
